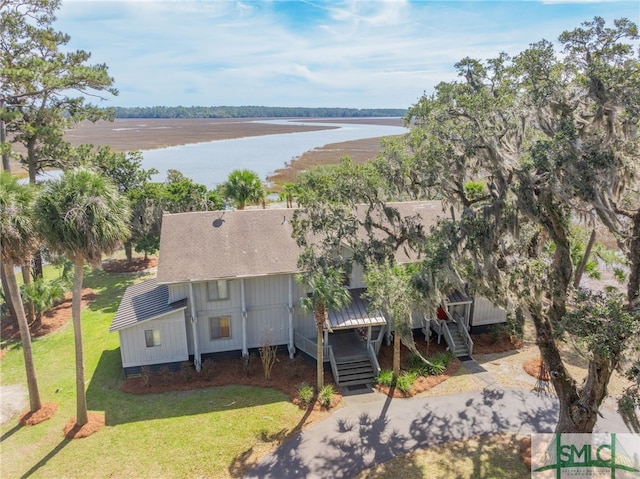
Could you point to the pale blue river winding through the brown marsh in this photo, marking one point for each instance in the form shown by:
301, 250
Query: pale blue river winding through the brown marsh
210, 163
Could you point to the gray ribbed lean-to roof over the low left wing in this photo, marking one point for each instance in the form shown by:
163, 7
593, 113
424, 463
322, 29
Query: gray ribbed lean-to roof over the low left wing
142, 302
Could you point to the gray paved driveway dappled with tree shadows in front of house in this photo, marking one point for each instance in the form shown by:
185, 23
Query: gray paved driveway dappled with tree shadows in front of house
373, 428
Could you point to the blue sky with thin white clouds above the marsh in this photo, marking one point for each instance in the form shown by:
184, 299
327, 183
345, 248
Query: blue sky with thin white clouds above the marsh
357, 54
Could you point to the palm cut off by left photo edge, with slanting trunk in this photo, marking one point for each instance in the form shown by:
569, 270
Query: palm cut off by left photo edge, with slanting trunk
17, 241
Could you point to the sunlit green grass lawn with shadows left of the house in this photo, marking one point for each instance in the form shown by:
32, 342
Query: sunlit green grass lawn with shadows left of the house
214, 432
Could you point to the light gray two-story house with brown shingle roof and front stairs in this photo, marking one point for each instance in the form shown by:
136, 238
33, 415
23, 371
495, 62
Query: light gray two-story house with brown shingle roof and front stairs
226, 285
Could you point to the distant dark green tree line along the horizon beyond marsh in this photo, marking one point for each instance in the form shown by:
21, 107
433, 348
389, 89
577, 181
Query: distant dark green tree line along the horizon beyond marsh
253, 112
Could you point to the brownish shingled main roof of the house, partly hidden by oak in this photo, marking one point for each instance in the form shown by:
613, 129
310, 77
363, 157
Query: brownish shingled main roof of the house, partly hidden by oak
210, 245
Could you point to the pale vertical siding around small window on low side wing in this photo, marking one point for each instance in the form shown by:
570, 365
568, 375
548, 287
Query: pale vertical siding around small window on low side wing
135, 352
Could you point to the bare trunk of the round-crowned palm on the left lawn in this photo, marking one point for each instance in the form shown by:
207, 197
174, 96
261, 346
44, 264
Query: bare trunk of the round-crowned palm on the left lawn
76, 303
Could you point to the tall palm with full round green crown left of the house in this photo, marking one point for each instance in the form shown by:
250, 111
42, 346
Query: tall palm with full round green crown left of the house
82, 216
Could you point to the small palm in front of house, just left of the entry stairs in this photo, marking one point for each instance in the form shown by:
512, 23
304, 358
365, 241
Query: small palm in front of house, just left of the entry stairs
327, 292
